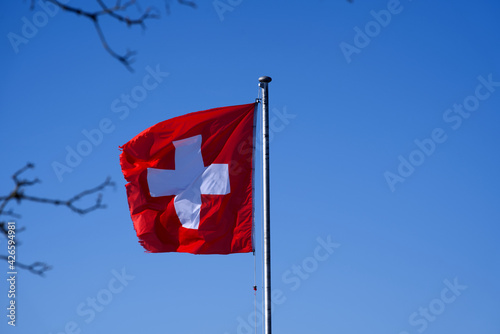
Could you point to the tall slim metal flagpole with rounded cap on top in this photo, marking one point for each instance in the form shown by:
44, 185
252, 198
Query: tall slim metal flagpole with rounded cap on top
263, 83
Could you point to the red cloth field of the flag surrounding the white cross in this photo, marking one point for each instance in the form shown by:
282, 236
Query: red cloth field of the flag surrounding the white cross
226, 221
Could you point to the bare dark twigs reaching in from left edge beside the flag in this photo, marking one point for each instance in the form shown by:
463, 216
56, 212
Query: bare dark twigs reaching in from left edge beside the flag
18, 195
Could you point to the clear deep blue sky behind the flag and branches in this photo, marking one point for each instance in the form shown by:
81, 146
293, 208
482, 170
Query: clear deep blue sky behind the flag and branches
384, 165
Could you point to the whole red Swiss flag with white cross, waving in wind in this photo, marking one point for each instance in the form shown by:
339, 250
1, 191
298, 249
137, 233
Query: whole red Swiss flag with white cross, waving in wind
190, 182
